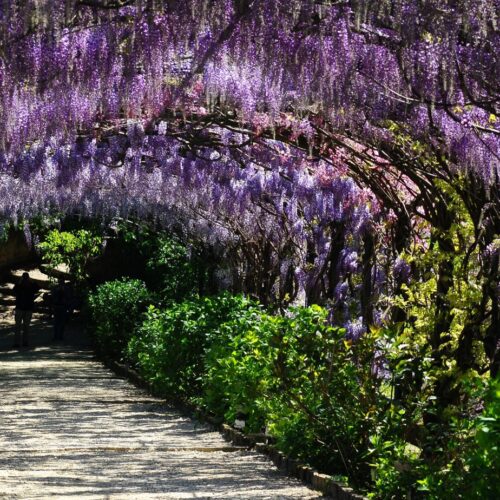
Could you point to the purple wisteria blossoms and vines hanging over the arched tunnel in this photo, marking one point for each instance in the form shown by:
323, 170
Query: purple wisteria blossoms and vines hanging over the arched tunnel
325, 129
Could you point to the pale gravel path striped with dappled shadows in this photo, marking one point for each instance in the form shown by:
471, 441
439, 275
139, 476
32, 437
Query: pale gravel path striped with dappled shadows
69, 427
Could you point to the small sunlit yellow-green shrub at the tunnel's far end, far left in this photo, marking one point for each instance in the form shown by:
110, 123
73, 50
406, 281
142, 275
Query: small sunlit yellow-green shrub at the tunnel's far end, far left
75, 249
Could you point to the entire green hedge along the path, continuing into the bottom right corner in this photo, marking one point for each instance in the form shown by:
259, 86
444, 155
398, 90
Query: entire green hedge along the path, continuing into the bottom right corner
324, 398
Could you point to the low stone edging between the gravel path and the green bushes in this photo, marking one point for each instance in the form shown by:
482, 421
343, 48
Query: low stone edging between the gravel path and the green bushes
311, 477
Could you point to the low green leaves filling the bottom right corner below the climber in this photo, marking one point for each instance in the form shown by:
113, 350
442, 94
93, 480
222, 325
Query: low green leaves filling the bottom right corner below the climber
415, 454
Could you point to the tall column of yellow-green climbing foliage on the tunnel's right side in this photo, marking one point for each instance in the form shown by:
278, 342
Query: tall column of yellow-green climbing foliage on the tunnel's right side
425, 443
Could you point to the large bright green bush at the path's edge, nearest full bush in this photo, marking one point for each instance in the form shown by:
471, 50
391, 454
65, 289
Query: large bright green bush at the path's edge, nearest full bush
296, 375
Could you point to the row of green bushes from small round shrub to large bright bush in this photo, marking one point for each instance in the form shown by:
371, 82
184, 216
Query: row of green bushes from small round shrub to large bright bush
293, 375
